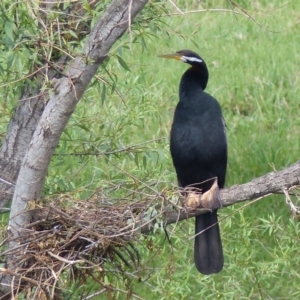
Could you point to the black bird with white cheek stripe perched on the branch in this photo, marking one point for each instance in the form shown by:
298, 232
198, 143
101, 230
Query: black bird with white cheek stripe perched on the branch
199, 151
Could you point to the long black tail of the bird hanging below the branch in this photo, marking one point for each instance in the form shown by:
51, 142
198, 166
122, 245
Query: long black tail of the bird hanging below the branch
208, 253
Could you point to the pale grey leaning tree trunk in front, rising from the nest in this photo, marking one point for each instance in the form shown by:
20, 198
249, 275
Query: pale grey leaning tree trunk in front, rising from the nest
68, 91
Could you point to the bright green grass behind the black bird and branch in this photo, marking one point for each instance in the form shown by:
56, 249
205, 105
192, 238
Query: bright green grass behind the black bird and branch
254, 73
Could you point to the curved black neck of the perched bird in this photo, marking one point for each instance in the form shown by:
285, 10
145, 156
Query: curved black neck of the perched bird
193, 81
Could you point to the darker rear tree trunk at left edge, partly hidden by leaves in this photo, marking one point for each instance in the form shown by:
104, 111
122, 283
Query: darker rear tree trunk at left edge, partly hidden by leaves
32, 103
